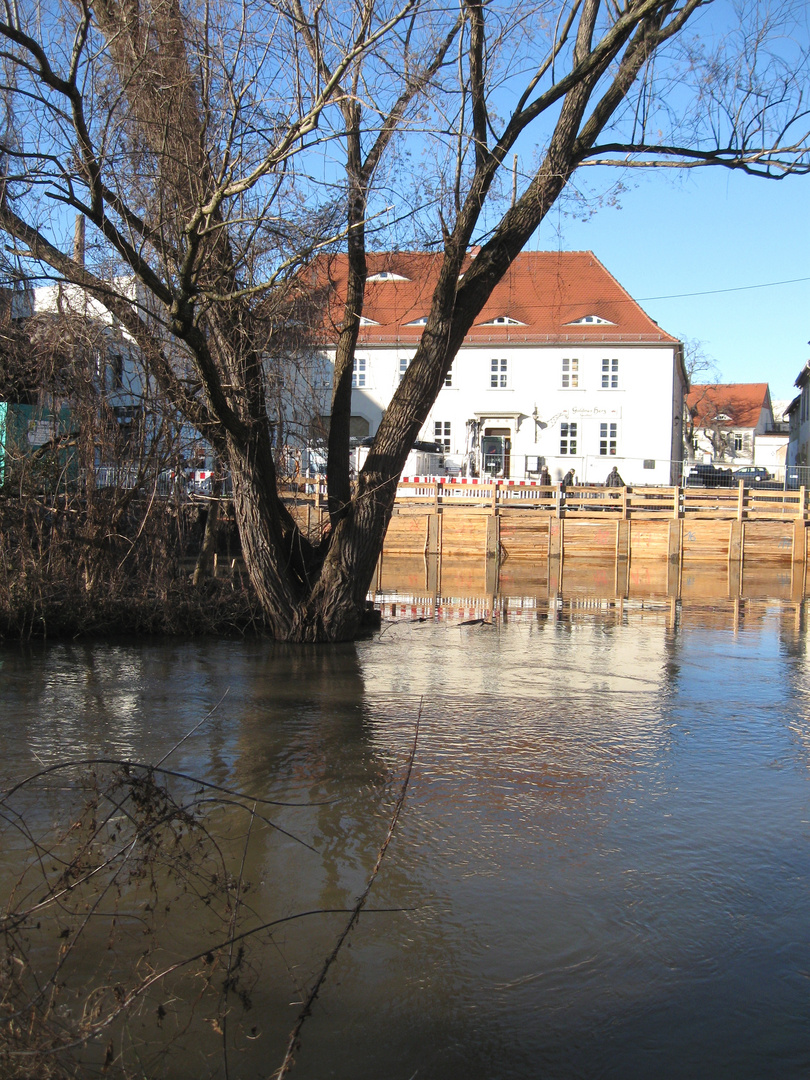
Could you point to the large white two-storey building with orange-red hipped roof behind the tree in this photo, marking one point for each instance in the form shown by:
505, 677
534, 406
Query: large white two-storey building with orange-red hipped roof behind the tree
562, 370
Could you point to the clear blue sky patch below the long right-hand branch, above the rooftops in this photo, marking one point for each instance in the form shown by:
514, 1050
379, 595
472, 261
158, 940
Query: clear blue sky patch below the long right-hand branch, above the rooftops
706, 232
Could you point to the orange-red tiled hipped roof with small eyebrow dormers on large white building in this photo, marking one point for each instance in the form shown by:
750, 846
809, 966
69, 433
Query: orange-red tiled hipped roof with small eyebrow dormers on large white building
545, 292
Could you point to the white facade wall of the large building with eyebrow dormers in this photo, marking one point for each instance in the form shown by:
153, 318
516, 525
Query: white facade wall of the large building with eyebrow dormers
534, 404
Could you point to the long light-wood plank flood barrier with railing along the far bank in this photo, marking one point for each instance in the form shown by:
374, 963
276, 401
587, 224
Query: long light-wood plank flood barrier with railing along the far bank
532, 522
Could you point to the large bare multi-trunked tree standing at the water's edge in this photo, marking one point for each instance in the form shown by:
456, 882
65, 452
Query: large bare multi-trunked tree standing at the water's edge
217, 151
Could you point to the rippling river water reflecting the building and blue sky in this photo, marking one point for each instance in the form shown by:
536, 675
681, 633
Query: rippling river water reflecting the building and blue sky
601, 869
